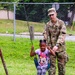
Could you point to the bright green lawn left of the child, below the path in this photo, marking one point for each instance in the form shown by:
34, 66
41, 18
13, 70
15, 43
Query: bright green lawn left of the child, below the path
16, 55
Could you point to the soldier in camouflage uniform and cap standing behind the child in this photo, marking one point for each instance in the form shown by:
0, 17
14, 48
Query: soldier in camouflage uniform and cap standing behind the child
55, 34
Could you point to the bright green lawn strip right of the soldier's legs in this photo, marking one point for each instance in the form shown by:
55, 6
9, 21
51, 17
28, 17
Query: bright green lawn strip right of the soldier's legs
70, 67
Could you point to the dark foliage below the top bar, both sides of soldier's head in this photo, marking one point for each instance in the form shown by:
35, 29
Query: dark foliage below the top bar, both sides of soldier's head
38, 12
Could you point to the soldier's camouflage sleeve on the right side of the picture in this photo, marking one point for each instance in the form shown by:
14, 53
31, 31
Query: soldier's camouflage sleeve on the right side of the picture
62, 35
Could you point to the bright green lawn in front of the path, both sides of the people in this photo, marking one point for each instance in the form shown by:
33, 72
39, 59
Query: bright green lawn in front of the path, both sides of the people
18, 61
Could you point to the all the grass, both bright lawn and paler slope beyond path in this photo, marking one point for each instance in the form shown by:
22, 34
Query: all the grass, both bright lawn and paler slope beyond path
16, 54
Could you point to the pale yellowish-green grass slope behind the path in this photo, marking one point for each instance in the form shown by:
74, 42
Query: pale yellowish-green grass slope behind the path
21, 26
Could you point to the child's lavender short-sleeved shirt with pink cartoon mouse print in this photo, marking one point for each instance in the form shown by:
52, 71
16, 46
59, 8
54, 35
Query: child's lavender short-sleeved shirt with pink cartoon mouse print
43, 57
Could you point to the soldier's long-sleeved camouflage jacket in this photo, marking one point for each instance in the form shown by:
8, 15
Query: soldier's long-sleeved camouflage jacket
55, 34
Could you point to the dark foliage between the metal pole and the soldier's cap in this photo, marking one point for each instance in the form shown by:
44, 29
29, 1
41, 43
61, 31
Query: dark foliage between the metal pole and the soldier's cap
34, 12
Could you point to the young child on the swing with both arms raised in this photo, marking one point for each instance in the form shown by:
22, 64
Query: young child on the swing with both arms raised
43, 57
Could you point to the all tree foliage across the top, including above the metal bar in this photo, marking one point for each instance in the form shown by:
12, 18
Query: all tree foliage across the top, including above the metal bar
36, 9
